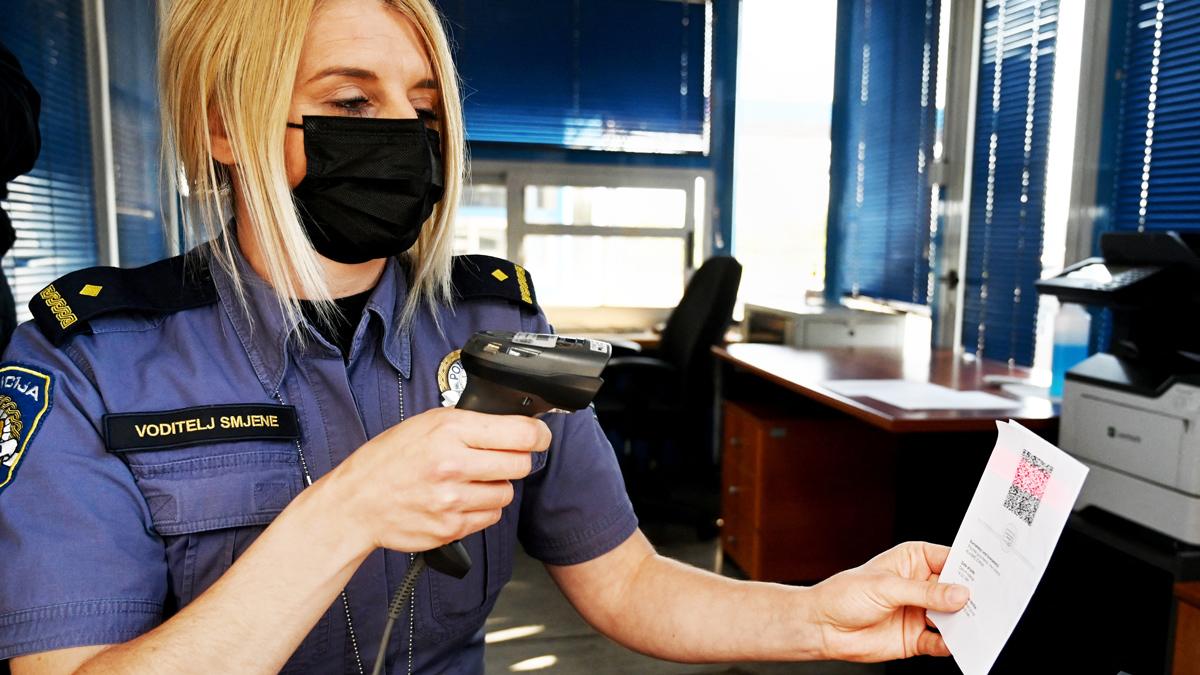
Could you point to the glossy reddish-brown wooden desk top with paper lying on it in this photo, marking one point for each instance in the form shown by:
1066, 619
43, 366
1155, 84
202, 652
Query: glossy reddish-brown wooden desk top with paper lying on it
805, 372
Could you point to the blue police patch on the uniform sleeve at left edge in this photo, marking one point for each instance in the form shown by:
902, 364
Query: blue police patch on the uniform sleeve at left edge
25, 401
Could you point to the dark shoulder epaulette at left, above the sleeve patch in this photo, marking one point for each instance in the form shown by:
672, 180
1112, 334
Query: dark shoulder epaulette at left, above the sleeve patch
67, 307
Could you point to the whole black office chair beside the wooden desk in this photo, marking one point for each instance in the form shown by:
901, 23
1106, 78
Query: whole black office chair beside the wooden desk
657, 405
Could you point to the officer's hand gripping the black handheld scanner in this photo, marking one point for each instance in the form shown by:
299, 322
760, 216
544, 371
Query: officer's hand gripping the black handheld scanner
434, 479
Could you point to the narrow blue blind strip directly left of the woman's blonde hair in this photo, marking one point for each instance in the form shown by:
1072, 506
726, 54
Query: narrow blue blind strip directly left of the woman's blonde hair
133, 62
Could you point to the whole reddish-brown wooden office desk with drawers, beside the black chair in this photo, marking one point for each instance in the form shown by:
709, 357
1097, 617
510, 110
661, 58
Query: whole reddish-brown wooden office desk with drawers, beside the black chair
815, 482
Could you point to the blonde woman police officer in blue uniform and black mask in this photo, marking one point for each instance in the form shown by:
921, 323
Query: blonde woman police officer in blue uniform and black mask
224, 462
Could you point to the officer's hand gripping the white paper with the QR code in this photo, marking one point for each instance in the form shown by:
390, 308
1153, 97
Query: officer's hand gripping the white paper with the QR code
877, 612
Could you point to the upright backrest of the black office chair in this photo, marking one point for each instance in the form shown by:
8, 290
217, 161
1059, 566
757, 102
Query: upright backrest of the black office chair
704, 314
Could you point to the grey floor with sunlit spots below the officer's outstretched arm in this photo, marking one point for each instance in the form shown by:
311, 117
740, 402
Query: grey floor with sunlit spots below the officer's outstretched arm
563, 644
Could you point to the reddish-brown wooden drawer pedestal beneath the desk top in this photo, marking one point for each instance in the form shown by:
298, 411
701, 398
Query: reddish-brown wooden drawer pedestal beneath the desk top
803, 498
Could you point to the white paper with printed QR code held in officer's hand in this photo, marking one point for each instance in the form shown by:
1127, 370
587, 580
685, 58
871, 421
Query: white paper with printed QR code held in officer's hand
1005, 542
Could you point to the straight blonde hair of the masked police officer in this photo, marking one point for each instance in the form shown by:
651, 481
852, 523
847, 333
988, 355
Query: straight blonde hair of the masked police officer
237, 61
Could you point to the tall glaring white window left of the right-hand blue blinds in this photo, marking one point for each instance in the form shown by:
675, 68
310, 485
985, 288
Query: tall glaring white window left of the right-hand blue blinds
782, 147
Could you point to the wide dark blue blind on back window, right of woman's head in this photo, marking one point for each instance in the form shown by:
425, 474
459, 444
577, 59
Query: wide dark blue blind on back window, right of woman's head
609, 75
